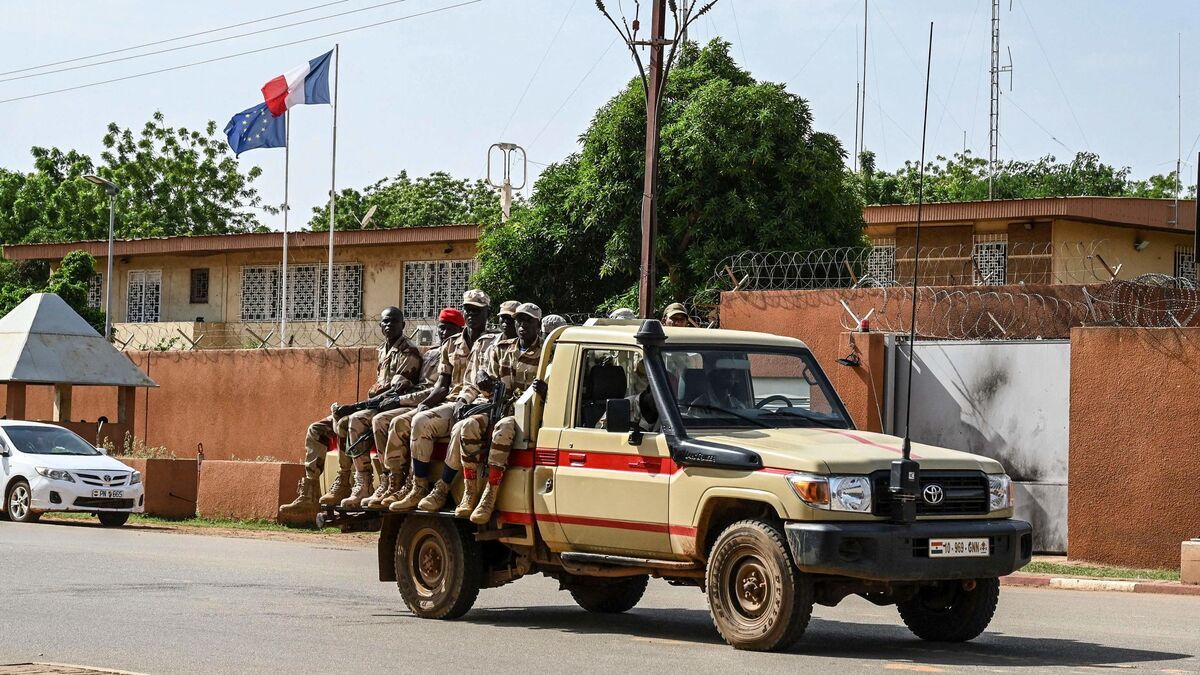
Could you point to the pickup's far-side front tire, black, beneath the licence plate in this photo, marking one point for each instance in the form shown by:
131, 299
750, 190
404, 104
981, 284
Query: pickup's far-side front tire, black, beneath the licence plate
949, 613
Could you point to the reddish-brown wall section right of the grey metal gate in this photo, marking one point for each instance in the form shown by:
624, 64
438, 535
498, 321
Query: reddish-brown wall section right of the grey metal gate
1135, 479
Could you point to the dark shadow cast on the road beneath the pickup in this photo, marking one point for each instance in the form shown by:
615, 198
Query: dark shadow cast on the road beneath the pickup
827, 638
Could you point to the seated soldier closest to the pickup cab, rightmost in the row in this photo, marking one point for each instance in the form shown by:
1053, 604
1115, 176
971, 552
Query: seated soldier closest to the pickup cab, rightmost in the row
514, 363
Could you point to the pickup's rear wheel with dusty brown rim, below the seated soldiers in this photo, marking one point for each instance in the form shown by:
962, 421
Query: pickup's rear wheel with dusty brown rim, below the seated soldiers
439, 566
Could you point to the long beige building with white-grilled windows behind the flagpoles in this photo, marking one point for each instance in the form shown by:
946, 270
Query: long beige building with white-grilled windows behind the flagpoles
226, 291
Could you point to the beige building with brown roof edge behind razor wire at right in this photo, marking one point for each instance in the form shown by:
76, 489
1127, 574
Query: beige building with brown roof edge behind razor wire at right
1052, 241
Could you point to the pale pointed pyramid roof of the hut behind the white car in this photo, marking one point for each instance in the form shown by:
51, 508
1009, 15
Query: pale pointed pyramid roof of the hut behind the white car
44, 342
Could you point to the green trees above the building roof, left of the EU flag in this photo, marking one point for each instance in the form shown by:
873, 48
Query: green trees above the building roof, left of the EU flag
173, 182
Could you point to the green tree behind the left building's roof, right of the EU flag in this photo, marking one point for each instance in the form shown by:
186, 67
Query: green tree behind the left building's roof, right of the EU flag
437, 199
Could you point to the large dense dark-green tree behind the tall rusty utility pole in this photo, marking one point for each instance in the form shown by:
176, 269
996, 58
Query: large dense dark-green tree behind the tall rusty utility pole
742, 168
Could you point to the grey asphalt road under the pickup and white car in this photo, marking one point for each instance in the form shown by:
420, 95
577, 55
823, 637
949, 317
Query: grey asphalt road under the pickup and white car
164, 602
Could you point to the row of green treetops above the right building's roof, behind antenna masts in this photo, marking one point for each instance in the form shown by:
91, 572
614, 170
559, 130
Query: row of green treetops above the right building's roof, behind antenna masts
964, 178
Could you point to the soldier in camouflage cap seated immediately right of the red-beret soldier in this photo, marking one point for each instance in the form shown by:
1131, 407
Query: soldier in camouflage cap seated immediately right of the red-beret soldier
463, 363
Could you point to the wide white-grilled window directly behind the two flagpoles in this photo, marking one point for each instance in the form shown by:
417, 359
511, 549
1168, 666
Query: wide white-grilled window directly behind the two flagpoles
307, 292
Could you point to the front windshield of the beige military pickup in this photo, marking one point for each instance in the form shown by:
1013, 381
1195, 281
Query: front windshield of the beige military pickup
752, 389
